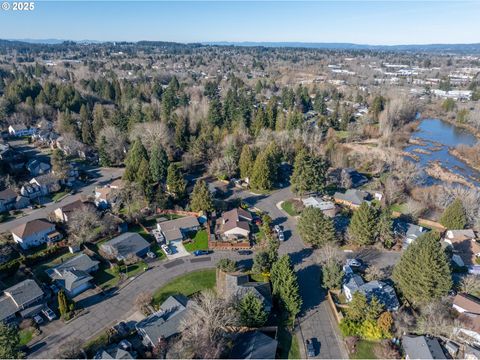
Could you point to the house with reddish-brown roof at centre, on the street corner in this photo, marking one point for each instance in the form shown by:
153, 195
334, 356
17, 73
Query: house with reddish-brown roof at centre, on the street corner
234, 224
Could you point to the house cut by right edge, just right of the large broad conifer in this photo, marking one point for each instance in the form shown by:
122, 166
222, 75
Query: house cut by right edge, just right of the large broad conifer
465, 248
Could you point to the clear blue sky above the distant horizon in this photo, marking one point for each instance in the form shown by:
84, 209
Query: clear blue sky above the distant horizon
365, 22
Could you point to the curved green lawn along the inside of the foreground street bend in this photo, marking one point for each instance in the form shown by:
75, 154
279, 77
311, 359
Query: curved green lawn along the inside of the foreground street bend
187, 285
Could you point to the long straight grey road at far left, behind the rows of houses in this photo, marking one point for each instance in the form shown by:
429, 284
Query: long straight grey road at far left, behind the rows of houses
103, 175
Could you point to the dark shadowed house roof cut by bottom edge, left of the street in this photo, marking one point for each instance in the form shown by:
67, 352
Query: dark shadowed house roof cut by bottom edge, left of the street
253, 345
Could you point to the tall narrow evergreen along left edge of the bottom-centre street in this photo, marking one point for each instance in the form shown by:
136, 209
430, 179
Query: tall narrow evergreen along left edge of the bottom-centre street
285, 285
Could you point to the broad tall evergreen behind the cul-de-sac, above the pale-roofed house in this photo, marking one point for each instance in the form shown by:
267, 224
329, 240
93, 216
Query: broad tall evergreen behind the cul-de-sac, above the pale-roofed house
309, 173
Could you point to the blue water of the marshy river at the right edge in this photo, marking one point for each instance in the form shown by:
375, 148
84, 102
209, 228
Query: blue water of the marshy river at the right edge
436, 138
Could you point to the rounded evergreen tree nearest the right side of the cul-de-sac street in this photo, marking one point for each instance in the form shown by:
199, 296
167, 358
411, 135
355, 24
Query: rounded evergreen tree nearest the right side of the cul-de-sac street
315, 228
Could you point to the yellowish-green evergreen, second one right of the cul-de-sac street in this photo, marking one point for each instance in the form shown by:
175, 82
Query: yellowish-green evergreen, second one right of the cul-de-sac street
363, 225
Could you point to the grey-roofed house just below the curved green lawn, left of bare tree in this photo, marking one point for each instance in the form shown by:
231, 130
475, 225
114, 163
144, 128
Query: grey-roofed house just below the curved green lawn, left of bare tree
166, 321
